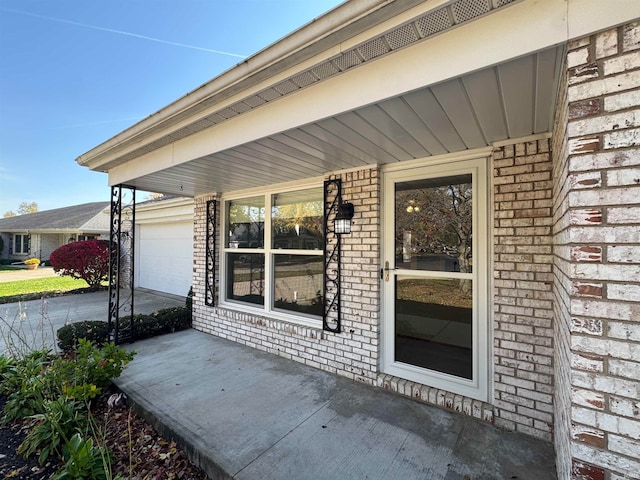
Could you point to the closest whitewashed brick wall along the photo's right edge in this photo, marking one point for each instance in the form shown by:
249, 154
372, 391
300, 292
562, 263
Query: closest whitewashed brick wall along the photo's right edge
598, 254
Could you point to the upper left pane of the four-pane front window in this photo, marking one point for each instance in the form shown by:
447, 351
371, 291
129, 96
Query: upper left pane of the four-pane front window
245, 223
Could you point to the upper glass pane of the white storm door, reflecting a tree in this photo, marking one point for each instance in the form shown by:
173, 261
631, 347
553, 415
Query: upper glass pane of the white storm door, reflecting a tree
434, 222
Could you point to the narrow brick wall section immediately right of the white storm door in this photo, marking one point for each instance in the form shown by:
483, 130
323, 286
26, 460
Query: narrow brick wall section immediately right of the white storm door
523, 307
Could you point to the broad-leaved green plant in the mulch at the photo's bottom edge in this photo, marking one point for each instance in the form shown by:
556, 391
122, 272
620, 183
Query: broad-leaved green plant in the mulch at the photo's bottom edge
83, 460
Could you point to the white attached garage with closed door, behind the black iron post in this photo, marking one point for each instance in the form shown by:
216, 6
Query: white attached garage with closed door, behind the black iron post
164, 245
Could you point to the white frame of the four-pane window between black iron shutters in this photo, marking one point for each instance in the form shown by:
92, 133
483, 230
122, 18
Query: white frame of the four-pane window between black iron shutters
267, 309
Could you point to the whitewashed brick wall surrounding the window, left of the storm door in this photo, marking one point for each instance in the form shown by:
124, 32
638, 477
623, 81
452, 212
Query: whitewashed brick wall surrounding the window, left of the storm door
352, 353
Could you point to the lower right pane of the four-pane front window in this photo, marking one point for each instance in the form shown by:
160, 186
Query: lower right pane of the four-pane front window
298, 283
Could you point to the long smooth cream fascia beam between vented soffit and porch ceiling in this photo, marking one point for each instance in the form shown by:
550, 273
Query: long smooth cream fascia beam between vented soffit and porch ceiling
495, 38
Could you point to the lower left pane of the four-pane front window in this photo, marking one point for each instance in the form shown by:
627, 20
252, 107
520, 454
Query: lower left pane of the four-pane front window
245, 277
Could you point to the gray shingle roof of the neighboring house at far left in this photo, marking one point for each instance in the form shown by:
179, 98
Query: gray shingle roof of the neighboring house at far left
88, 216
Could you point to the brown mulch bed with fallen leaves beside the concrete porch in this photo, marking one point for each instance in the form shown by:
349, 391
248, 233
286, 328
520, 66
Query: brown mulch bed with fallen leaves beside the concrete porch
138, 452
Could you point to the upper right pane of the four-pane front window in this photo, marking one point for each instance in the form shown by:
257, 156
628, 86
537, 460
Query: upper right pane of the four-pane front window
296, 220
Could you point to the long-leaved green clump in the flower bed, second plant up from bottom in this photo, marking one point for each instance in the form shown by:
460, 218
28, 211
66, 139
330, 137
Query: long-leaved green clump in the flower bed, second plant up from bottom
59, 421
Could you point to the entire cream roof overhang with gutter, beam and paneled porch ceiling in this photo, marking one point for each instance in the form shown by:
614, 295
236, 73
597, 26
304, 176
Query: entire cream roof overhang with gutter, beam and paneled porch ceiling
368, 83
